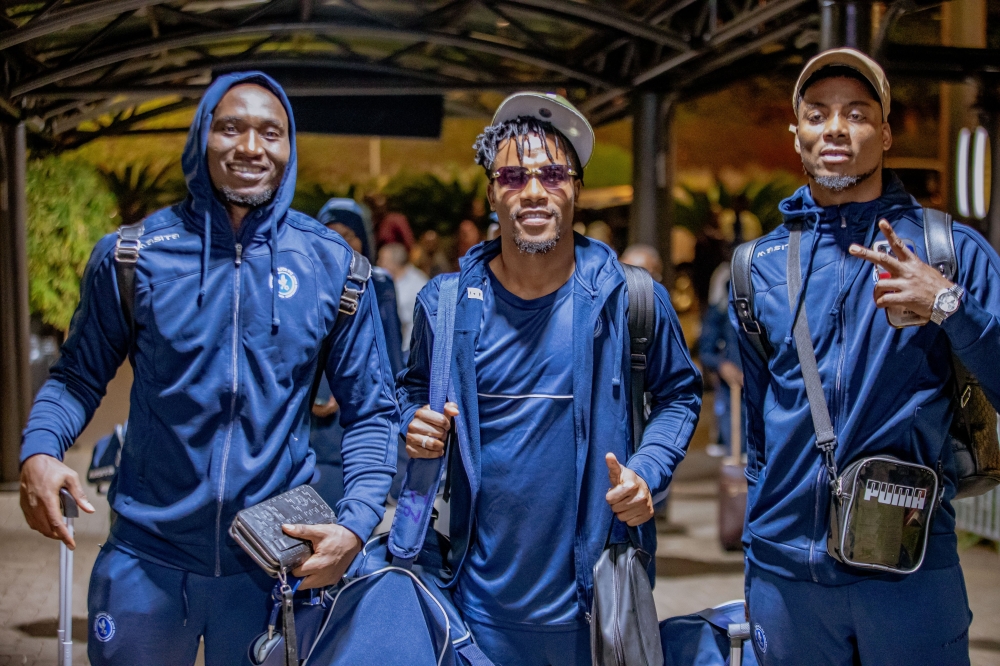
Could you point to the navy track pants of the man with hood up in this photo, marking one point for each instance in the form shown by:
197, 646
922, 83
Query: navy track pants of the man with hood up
144, 613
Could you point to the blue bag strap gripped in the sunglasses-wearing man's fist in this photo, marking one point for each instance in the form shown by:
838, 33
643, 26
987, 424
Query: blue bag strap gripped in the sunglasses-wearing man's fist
423, 476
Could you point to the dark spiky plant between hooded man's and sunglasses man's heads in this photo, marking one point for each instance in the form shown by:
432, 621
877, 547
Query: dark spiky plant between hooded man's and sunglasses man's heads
434, 203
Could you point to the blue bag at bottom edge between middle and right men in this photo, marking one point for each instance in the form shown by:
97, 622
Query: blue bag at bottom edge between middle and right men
717, 636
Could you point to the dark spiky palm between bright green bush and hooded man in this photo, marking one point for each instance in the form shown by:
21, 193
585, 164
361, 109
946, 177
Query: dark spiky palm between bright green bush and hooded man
140, 189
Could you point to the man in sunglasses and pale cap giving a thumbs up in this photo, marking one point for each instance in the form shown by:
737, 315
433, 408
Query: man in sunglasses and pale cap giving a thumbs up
541, 398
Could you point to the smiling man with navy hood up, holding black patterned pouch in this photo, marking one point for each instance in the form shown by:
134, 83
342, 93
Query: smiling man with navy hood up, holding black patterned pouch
235, 296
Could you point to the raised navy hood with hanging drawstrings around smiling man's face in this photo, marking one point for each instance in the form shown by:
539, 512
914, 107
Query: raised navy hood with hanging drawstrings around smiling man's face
203, 202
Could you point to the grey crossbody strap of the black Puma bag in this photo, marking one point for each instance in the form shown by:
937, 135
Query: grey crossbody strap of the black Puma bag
826, 440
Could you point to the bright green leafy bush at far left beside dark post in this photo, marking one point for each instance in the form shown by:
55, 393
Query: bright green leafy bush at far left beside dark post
69, 209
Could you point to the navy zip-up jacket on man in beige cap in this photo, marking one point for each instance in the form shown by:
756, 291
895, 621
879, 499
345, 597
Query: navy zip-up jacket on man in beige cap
888, 389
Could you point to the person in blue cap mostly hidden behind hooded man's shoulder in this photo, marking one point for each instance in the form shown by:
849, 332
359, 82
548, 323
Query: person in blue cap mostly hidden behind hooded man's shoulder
348, 218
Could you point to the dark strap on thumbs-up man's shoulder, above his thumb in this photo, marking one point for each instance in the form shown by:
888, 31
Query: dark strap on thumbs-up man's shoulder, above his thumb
641, 318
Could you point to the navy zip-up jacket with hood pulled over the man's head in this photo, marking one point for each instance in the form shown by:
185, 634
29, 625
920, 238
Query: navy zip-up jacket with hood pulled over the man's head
224, 365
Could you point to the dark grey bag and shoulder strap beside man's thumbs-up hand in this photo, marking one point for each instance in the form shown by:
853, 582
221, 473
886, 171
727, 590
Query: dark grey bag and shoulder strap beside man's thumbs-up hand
623, 625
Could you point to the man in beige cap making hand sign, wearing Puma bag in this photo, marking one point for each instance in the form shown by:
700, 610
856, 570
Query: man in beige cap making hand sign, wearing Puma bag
867, 364
